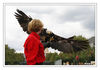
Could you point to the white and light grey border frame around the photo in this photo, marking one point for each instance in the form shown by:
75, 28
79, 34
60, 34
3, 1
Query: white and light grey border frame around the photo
5, 4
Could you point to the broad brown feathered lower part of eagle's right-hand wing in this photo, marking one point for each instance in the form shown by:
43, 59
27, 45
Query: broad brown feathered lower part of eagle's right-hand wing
70, 46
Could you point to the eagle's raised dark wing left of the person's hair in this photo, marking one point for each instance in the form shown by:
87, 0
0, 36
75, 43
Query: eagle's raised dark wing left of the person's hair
23, 19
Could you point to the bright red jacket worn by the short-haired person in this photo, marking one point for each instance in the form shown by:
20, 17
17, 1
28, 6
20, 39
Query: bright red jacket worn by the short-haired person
33, 49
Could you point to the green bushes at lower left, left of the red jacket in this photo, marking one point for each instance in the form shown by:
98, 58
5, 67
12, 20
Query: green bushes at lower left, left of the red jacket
12, 58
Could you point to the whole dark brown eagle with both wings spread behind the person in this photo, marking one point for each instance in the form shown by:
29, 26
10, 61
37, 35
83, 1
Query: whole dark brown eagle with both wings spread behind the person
65, 45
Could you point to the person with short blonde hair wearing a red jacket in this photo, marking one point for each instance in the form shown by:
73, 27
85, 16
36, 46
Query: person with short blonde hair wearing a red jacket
33, 48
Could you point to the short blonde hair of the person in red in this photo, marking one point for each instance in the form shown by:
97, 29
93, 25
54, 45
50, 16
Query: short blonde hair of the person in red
35, 25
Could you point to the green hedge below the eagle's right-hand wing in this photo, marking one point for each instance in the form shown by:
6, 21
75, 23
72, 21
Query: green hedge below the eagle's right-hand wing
84, 56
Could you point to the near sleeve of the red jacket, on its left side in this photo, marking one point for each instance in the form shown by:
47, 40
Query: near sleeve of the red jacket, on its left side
31, 50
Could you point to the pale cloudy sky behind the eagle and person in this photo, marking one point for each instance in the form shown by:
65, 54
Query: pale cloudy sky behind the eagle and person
64, 21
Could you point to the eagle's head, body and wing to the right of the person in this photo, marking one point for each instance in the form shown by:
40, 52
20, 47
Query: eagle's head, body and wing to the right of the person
66, 45
